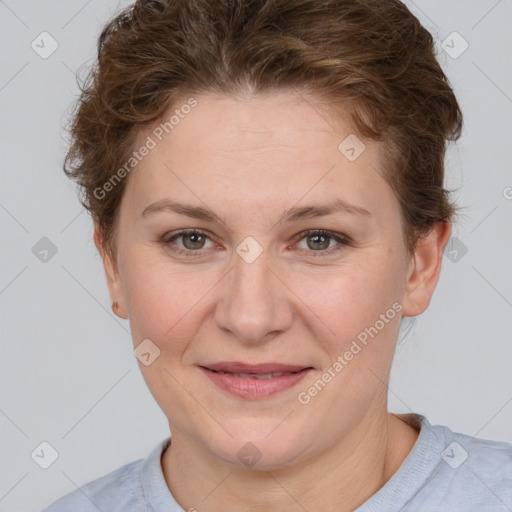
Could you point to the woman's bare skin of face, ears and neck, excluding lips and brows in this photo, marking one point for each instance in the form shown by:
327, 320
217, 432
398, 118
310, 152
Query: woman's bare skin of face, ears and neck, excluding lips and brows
249, 159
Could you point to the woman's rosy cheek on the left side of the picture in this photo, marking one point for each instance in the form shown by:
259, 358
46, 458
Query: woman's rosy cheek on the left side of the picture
164, 305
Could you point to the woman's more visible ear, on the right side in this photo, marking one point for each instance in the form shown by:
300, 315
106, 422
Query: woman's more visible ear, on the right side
424, 270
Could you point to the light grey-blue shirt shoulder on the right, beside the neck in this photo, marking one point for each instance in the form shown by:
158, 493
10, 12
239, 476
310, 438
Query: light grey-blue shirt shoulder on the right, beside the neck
448, 471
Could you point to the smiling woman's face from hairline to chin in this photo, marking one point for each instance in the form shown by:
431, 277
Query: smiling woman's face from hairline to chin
266, 283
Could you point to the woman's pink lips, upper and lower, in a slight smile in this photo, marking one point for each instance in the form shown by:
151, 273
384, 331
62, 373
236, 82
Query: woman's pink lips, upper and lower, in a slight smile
254, 388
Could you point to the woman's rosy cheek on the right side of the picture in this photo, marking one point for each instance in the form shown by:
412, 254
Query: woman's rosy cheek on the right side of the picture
357, 315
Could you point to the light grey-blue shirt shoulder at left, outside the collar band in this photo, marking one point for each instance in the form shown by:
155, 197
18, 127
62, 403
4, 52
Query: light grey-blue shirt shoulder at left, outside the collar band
120, 490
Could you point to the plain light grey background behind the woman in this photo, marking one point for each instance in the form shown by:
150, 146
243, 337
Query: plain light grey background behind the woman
68, 374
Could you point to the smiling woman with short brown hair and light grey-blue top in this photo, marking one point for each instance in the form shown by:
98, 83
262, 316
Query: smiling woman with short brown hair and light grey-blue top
266, 184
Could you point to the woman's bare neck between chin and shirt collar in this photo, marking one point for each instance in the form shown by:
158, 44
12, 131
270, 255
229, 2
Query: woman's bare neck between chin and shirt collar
339, 479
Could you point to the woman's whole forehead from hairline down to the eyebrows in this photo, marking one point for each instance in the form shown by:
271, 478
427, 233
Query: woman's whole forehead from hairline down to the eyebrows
275, 148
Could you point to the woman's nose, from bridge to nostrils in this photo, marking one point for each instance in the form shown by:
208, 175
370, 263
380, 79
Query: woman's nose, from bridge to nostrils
254, 303
